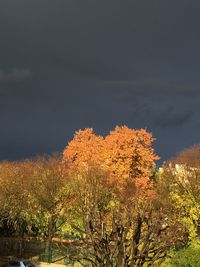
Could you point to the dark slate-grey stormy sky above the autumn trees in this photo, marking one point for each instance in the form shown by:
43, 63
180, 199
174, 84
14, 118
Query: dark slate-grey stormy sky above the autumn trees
71, 64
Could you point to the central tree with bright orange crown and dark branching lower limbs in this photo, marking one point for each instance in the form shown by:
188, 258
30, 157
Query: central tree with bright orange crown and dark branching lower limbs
121, 224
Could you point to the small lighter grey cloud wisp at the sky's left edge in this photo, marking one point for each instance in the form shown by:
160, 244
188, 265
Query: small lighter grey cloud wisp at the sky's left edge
15, 75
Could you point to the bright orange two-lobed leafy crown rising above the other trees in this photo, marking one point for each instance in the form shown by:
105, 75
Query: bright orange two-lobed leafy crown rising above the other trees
125, 153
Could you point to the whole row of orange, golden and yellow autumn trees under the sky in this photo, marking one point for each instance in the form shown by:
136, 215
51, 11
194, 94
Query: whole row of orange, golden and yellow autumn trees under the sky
108, 192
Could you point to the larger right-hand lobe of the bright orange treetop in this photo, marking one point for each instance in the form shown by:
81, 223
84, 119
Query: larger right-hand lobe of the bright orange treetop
130, 153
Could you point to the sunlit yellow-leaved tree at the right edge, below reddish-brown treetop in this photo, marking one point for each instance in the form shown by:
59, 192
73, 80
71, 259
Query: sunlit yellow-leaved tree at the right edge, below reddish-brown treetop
184, 186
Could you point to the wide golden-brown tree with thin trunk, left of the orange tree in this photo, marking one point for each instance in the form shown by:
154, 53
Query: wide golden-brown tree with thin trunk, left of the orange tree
34, 197
